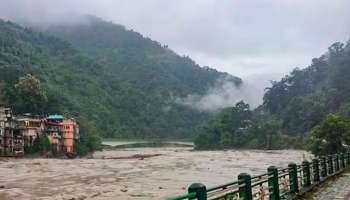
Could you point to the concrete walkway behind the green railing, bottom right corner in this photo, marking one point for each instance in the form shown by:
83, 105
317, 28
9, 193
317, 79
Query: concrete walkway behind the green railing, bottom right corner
338, 188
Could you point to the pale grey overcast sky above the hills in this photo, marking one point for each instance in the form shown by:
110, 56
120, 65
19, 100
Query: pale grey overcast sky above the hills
264, 38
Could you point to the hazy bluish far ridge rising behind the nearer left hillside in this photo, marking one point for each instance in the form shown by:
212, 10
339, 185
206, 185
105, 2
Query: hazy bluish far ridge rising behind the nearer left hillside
138, 60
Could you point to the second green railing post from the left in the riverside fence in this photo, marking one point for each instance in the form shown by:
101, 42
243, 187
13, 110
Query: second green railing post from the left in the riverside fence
245, 186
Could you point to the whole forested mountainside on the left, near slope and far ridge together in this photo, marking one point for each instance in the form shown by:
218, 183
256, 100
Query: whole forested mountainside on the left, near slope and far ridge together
108, 77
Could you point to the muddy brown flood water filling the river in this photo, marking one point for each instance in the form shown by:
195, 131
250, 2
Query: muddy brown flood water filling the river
134, 173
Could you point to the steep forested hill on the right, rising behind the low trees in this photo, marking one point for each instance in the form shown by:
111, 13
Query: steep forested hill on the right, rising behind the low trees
305, 96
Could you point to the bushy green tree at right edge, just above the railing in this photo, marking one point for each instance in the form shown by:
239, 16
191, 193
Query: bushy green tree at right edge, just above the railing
331, 135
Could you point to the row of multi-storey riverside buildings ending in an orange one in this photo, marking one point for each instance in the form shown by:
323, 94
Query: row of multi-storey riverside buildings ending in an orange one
17, 133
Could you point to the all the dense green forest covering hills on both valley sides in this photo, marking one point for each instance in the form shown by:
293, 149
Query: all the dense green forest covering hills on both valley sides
120, 84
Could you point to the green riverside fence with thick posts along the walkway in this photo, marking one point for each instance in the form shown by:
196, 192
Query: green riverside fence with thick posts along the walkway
276, 184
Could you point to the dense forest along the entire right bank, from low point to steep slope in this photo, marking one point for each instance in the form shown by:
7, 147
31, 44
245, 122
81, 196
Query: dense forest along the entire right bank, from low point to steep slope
293, 109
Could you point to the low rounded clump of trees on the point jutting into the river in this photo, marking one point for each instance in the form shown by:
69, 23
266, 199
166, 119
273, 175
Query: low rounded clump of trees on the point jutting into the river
240, 127
